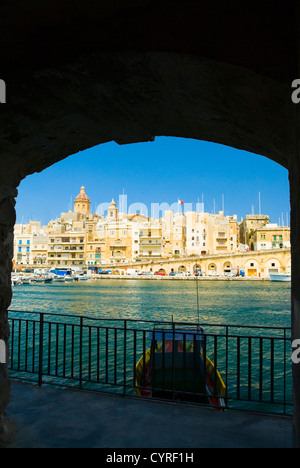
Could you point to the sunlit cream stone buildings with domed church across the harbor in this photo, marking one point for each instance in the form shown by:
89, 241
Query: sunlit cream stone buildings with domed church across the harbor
81, 238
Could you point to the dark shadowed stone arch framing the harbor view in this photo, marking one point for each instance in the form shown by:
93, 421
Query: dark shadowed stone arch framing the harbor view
83, 93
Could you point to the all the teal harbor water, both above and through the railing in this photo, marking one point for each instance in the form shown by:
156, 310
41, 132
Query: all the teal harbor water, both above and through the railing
254, 362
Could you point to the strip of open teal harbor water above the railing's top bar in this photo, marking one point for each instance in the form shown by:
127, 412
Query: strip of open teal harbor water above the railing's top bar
220, 302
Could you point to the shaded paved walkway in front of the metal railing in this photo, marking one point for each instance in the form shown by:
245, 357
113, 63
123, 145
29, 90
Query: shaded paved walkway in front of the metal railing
50, 418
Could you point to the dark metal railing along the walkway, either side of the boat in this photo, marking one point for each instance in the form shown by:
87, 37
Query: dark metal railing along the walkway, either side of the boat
100, 355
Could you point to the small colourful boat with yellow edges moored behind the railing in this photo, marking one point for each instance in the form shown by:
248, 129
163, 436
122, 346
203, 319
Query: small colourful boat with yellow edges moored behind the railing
176, 368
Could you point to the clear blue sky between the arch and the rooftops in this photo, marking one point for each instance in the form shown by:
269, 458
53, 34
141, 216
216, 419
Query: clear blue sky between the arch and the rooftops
162, 171
